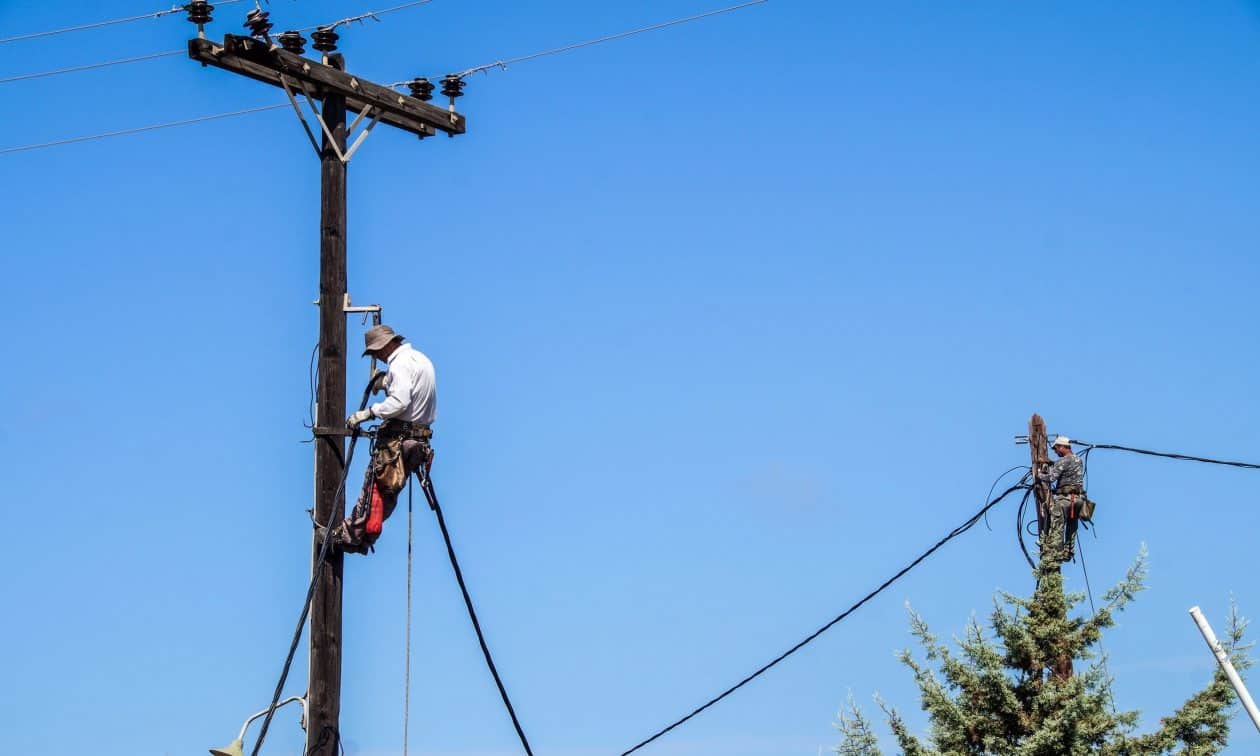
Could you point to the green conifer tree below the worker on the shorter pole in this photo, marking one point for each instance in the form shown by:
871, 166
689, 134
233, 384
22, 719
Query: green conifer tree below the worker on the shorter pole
1019, 694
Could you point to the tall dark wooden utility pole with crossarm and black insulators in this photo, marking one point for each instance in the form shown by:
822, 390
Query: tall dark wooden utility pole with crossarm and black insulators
327, 83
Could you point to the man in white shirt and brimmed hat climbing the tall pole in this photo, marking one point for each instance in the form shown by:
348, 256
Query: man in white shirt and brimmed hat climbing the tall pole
403, 444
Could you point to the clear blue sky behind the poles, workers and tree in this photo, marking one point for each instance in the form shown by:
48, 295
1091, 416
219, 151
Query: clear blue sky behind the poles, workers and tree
731, 321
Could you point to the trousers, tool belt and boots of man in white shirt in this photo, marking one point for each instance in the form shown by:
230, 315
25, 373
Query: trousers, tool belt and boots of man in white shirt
391, 458
